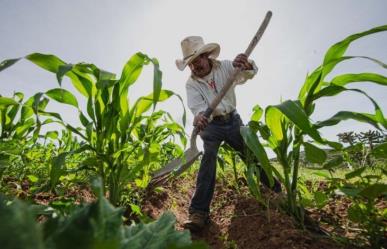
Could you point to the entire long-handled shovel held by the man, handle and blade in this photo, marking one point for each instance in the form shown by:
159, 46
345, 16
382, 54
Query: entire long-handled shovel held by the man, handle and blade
179, 165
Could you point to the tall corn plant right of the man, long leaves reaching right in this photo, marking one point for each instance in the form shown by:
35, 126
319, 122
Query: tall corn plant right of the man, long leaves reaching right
288, 125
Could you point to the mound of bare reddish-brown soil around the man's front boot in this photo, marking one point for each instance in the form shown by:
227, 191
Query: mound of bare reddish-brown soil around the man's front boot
238, 220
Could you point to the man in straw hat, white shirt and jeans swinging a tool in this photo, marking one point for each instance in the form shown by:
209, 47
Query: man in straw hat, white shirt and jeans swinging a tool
208, 76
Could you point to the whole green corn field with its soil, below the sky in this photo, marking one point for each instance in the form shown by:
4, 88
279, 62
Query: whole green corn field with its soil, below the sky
90, 186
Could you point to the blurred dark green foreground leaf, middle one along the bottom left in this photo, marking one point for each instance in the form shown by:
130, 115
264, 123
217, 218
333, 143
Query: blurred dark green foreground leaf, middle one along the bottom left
98, 225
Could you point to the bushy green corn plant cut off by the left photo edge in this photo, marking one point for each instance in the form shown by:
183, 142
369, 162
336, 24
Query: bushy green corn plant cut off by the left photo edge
20, 125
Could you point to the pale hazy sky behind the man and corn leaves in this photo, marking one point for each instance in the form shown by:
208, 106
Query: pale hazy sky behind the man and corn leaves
108, 32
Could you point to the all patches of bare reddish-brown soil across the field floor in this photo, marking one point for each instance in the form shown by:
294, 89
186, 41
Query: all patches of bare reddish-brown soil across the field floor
237, 219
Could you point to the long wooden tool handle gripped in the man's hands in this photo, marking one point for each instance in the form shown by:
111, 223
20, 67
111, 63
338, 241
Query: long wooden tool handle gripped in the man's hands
231, 79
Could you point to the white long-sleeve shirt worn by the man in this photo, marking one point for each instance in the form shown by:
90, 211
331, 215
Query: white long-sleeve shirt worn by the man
201, 91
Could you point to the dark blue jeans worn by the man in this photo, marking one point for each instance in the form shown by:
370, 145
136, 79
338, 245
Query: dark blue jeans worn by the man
213, 135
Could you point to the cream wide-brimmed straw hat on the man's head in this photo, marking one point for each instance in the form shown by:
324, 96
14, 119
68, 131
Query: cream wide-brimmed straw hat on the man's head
192, 46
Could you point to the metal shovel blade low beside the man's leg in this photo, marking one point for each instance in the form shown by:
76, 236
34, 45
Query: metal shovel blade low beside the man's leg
179, 165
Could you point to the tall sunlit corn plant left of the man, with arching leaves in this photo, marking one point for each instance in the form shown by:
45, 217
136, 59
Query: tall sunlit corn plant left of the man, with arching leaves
109, 121
